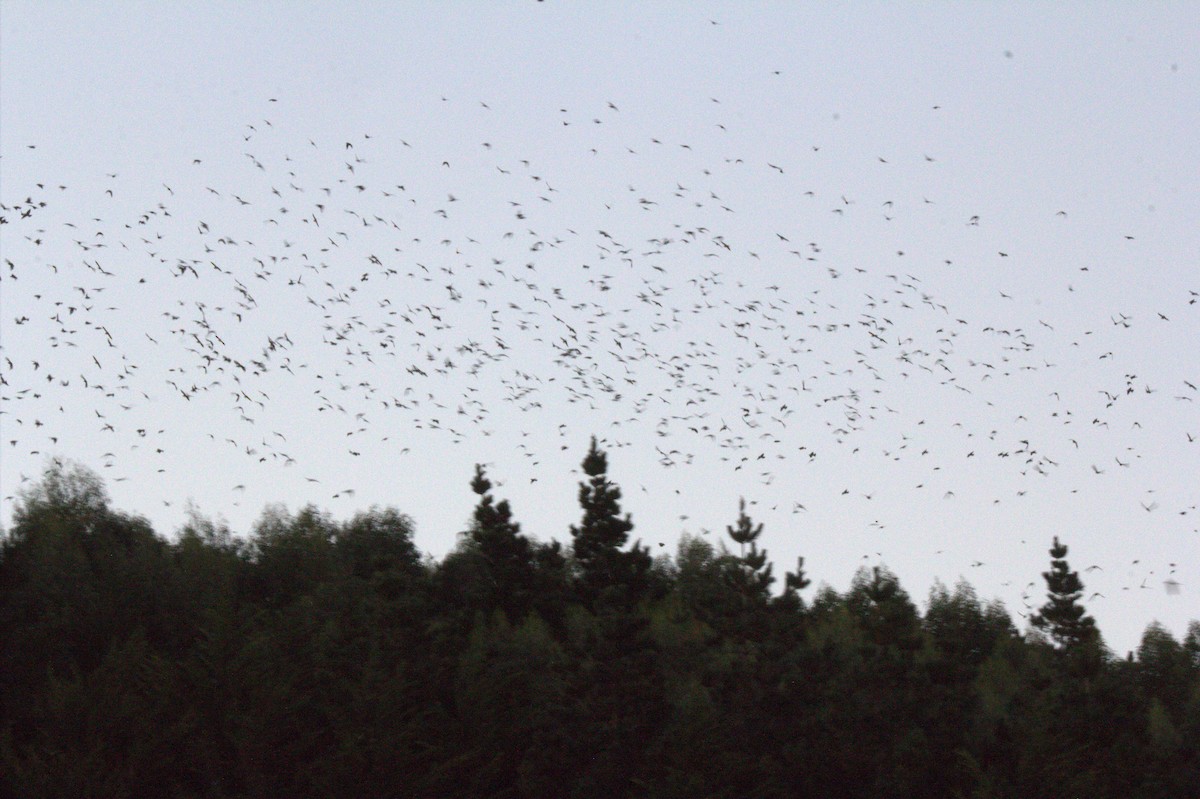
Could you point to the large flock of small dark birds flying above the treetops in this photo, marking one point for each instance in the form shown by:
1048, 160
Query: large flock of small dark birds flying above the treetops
302, 303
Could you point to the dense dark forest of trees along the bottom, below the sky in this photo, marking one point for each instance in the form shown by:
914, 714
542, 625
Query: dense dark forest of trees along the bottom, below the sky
316, 658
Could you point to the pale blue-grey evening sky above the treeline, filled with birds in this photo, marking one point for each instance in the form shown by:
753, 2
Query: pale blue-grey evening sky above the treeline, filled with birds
919, 281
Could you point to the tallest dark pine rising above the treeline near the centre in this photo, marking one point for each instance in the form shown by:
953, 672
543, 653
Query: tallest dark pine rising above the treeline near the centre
605, 569
